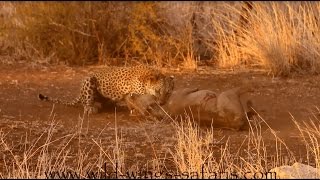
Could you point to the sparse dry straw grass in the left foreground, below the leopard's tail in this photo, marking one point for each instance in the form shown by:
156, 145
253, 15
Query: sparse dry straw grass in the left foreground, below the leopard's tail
50, 156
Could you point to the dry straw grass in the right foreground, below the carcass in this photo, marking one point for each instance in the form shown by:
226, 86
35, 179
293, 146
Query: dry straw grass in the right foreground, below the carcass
193, 152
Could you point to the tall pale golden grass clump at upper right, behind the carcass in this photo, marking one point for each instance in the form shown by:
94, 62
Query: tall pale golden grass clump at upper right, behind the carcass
281, 37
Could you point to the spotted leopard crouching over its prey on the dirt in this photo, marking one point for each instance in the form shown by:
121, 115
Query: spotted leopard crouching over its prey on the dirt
115, 83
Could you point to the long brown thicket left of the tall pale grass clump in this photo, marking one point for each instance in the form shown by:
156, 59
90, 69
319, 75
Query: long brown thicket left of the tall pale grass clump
96, 32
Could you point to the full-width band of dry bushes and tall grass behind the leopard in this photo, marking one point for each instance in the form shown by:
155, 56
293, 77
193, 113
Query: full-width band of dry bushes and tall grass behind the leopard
281, 37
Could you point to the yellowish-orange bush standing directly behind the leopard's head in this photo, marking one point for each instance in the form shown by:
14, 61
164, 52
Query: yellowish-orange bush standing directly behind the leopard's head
146, 34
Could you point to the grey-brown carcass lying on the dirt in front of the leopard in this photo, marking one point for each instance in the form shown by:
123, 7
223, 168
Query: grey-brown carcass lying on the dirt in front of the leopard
228, 109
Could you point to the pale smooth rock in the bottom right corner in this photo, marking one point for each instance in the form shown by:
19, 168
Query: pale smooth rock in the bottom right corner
296, 171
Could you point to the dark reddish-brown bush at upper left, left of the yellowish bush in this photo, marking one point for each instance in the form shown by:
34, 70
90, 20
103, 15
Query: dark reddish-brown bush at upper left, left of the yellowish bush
72, 32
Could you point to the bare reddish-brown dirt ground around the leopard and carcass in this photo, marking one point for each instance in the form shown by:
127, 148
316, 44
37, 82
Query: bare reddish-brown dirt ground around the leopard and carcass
23, 118
